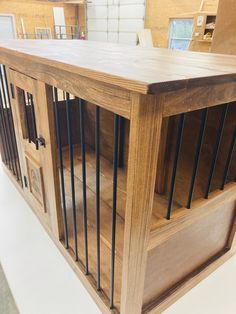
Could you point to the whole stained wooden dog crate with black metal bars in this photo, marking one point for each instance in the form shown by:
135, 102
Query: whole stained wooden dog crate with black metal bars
127, 157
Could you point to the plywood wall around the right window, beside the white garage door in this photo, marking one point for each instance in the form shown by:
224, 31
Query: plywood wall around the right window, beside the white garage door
159, 12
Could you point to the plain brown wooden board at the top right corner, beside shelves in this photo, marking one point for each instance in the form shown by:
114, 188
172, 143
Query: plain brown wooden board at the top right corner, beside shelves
224, 40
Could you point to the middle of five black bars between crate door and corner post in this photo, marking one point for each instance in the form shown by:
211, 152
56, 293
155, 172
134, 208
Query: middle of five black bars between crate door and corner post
83, 153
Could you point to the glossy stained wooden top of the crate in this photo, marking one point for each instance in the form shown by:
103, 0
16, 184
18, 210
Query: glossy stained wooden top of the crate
145, 70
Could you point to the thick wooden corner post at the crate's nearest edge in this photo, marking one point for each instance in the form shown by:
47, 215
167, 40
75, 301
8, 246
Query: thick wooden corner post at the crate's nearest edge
145, 126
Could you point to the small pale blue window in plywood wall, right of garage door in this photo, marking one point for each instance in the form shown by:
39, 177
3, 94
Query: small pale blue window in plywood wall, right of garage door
180, 33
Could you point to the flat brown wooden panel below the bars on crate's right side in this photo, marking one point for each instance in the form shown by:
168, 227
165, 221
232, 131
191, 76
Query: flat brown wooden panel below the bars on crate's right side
170, 263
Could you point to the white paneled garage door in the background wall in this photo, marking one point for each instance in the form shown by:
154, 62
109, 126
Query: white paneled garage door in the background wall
116, 21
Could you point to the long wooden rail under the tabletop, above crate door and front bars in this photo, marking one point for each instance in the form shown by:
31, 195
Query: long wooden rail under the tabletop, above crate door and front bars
106, 95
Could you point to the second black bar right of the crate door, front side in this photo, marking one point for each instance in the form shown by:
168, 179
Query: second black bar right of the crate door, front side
71, 153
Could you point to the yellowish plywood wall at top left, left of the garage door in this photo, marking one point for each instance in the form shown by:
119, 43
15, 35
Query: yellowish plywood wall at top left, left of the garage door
36, 13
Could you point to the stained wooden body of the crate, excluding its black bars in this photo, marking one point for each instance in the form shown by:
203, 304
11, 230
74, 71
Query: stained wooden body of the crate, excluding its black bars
147, 87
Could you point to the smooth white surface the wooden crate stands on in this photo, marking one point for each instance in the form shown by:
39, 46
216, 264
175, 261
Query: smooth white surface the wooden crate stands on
43, 283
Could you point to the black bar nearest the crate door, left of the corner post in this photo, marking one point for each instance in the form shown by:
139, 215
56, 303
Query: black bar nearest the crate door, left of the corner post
59, 144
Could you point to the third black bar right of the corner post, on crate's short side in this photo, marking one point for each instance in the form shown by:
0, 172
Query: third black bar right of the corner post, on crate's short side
216, 149
